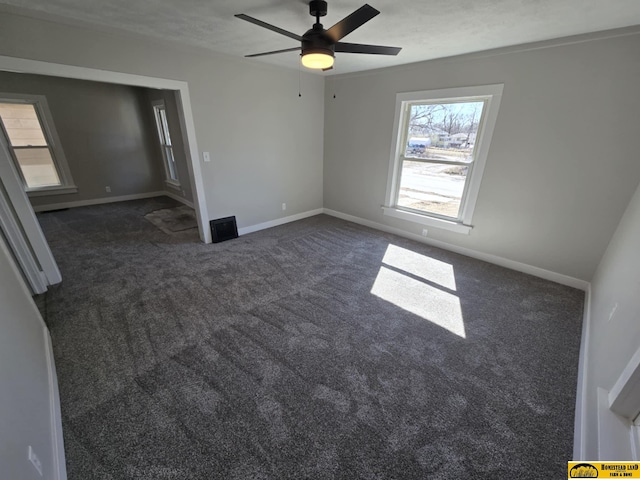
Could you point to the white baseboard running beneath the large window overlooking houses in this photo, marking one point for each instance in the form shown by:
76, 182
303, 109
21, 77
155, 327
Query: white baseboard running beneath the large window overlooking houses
487, 257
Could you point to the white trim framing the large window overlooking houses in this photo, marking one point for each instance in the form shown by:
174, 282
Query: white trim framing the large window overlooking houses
493, 95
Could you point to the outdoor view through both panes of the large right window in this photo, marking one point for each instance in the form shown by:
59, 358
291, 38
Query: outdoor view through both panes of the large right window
439, 147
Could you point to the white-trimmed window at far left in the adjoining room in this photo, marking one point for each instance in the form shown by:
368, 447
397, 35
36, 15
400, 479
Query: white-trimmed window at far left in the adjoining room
27, 127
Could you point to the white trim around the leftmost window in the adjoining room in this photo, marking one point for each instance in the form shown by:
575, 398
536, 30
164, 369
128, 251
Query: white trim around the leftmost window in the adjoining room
59, 159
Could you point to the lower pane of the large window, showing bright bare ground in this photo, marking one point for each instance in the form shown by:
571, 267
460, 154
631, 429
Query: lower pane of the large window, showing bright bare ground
432, 187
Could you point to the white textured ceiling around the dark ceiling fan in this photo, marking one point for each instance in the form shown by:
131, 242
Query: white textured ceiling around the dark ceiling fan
424, 30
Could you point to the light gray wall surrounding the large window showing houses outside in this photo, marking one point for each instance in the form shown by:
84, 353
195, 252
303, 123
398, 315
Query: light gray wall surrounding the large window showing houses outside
562, 164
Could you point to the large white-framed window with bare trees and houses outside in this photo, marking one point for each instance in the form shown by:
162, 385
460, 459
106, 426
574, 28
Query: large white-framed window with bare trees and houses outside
440, 147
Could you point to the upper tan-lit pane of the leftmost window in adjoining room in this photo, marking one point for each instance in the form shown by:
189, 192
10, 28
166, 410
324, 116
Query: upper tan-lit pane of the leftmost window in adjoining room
22, 125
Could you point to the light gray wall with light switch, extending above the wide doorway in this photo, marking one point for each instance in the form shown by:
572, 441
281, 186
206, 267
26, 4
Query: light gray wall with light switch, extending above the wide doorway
265, 142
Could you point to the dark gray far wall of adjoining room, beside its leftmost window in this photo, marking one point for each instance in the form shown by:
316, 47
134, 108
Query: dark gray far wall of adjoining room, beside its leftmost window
105, 131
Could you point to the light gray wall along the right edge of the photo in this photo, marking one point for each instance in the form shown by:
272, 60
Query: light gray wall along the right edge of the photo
613, 342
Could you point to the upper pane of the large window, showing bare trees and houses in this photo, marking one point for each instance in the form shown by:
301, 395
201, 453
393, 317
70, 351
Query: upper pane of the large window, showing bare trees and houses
443, 131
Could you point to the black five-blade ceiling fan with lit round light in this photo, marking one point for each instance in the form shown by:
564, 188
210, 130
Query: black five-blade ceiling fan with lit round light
318, 46
